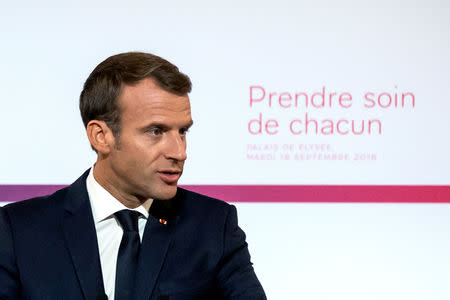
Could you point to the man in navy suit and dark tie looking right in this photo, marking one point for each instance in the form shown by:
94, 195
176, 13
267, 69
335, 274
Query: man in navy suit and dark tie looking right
124, 230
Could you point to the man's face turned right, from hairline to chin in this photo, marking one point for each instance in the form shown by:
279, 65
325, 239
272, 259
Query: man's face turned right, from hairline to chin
150, 151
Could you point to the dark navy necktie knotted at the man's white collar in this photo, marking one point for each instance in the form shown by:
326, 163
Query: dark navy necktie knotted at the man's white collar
128, 254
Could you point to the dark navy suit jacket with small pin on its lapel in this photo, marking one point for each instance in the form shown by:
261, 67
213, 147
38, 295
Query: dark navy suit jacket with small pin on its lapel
48, 250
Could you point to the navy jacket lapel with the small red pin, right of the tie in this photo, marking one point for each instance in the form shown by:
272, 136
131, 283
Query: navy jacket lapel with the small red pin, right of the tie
155, 245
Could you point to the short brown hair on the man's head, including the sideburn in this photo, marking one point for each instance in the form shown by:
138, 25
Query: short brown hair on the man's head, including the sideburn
99, 98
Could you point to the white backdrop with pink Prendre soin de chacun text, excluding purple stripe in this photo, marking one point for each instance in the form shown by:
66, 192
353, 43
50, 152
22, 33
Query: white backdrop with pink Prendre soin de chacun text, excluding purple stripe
300, 250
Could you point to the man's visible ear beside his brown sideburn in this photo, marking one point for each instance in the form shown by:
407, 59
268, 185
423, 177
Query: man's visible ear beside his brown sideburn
100, 136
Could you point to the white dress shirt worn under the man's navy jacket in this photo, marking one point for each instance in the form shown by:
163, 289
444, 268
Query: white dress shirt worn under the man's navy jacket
109, 231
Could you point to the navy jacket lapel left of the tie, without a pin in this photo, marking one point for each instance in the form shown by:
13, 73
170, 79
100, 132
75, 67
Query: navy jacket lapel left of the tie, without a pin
81, 239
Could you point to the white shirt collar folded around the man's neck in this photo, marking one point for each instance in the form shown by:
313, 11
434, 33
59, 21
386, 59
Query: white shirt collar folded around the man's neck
103, 204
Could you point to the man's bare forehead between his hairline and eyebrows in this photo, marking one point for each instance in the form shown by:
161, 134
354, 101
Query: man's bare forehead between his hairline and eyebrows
147, 100
